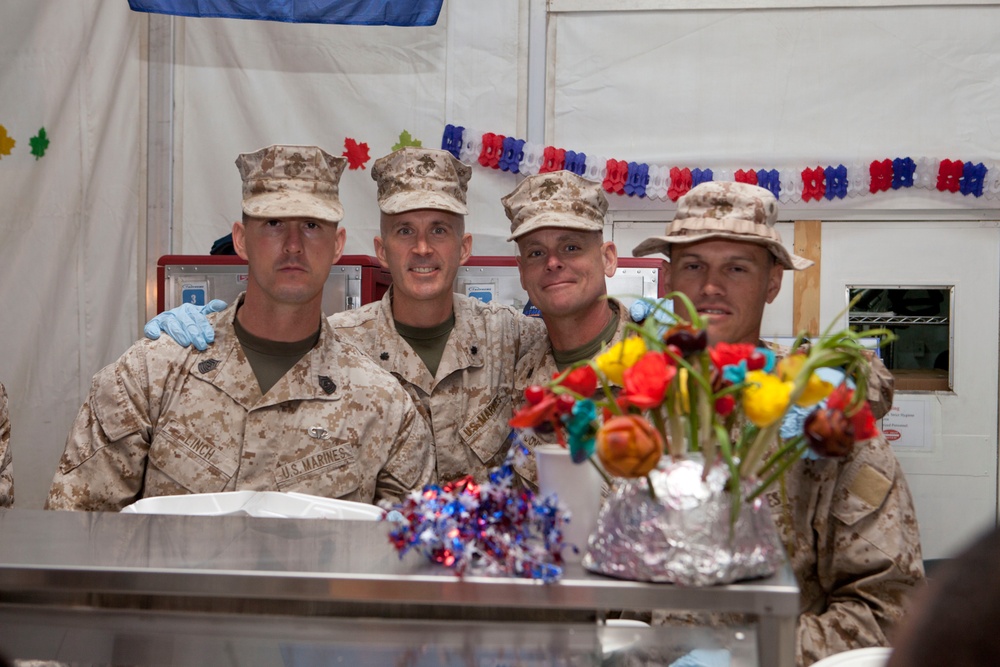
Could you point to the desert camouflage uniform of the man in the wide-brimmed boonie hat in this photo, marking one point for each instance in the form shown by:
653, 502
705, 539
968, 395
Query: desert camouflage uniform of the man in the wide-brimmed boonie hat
850, 530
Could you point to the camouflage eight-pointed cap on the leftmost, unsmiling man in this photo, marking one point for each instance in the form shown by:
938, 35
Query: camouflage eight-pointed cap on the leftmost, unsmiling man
292, 182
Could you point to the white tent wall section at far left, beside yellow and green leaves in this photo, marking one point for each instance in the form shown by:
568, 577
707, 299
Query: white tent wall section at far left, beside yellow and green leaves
69, 220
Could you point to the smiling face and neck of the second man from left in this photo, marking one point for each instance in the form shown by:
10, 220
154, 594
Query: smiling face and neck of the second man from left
422, 249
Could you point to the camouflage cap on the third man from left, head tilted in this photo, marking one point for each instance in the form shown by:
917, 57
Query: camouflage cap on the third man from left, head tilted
555, 199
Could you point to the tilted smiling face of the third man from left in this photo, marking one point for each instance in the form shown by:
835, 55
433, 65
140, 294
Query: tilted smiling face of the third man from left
564, 270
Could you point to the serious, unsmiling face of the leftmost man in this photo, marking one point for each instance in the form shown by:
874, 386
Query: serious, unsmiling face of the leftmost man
289, 258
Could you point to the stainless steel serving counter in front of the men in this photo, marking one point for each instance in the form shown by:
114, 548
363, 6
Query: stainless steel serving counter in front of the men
148, 589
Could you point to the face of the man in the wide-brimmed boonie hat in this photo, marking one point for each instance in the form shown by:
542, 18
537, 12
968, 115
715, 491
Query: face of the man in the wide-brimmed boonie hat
729, 283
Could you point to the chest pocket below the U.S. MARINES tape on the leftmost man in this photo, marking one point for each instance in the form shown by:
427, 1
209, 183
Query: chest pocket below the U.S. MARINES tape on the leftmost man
331, 472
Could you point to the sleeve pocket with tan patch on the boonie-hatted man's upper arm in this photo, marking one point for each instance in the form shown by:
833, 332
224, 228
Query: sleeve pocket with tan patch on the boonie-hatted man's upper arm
866, 482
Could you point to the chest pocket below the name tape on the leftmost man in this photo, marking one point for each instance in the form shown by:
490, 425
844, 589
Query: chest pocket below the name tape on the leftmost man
195, 464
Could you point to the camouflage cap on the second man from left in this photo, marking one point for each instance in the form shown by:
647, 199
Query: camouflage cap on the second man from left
413, 178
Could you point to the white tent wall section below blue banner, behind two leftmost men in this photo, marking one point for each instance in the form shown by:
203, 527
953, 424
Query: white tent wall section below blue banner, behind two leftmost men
245, 84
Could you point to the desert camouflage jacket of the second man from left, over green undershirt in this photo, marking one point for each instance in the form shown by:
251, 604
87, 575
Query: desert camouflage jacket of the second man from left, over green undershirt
468, 405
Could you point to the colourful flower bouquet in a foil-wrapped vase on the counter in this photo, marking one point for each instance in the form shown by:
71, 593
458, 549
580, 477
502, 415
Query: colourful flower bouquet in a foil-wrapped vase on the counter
690, 436
